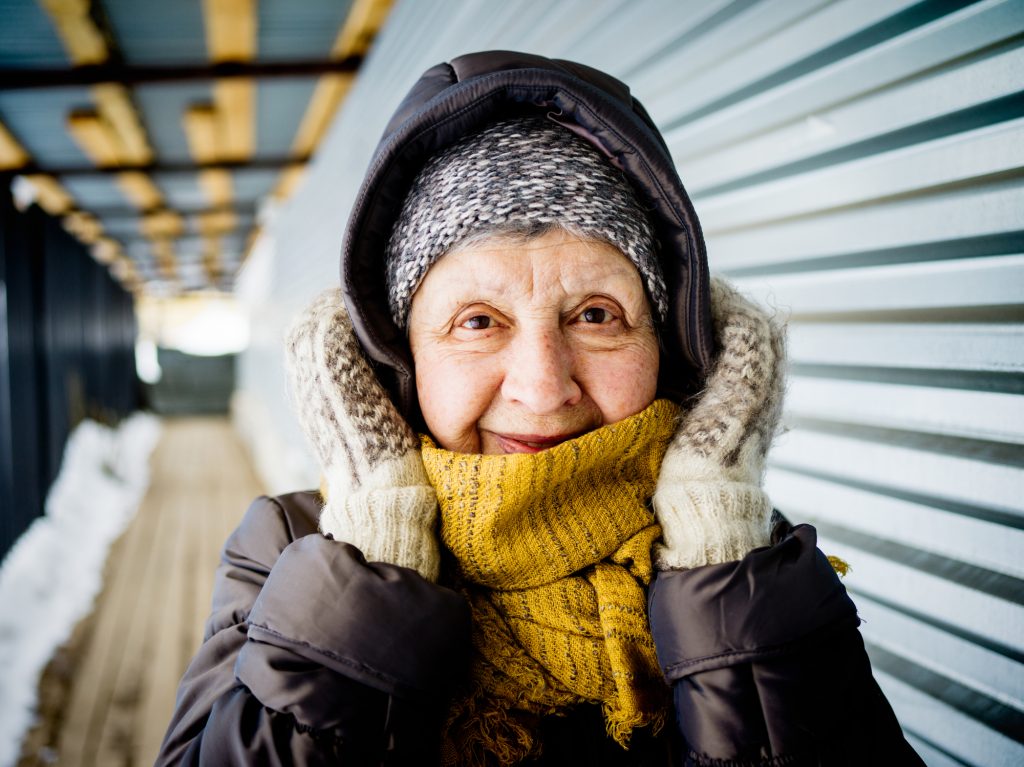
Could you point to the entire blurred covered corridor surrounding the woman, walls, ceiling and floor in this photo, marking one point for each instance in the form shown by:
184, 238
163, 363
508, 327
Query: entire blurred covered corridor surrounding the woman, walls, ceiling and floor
177, 178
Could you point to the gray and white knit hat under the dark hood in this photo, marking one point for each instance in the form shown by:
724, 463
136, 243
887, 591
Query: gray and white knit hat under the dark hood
521, 175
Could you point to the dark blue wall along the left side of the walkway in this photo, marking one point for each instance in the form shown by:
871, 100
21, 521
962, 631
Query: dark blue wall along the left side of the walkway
67, 353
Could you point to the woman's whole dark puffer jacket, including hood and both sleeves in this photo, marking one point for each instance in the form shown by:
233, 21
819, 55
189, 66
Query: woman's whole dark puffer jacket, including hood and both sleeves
313, 656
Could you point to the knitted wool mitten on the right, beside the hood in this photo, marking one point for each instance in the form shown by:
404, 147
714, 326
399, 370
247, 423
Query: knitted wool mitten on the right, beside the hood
709, 498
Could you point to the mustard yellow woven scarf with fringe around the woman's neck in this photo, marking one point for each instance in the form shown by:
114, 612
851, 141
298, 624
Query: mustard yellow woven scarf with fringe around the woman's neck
552, 552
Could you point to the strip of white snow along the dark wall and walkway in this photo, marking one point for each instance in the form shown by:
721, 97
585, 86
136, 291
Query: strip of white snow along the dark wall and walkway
51, 578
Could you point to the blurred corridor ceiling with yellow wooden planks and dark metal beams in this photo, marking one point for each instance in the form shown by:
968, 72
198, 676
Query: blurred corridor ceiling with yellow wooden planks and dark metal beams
157, 131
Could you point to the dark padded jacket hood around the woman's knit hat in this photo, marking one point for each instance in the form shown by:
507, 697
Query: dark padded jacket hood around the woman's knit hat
454, 100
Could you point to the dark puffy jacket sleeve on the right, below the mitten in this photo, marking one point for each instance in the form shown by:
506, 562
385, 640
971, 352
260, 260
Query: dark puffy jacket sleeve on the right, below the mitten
767, 664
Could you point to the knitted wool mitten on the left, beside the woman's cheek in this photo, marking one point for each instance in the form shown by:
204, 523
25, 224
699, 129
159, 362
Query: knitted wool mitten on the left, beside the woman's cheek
378, 496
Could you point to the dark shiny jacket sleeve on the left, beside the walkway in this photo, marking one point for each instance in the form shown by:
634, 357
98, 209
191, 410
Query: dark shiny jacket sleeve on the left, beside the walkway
313, 656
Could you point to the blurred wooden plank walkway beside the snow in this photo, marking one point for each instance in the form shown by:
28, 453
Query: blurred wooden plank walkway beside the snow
129, 658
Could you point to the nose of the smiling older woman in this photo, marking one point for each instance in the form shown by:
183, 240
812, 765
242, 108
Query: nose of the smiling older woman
540, 372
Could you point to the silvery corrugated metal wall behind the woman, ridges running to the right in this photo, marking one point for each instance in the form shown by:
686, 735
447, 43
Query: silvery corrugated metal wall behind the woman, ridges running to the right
859, 166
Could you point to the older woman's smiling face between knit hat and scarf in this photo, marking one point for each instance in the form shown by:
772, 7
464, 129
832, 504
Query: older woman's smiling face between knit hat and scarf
522, 345
